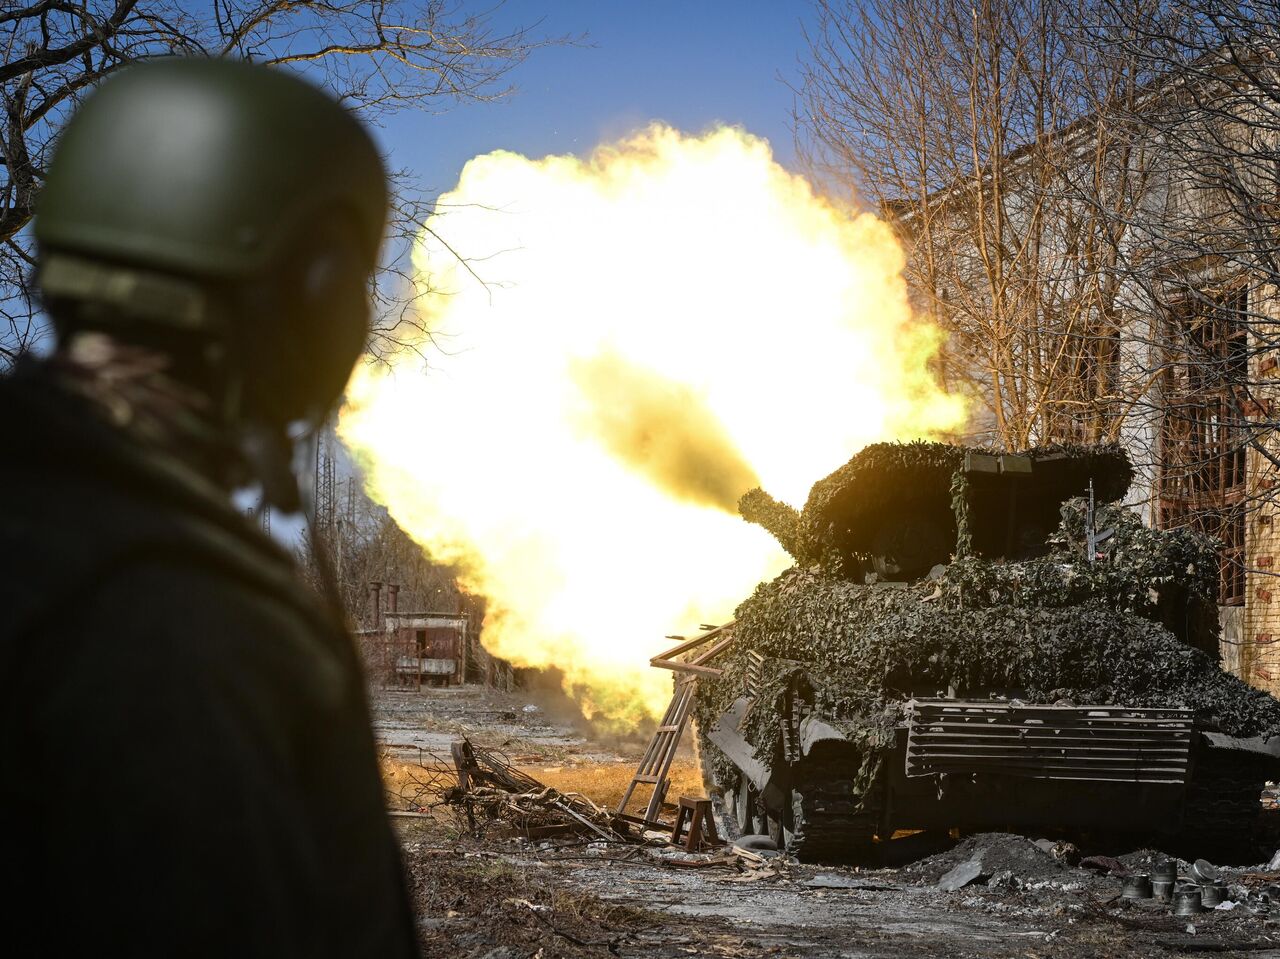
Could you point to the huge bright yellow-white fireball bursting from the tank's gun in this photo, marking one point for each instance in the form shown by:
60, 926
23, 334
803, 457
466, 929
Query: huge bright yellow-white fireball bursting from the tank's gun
620, 346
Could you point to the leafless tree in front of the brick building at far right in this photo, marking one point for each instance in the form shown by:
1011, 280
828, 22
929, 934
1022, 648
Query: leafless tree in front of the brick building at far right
1213, 272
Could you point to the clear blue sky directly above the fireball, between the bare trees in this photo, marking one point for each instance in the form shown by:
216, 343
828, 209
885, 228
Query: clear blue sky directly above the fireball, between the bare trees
691, 65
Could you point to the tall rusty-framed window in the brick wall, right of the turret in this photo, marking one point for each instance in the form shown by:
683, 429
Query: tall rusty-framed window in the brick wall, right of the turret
1203, 453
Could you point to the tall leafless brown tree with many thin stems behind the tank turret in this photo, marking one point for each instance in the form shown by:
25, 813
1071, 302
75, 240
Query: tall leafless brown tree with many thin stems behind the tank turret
990, 133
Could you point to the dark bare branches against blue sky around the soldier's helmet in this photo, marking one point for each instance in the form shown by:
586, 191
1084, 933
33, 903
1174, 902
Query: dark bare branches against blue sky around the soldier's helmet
380, 57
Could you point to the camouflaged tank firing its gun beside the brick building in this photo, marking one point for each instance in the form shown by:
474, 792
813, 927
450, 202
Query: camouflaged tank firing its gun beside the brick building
971, 641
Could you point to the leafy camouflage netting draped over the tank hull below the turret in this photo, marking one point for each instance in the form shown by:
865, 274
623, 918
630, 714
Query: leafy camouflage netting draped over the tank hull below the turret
1052, 629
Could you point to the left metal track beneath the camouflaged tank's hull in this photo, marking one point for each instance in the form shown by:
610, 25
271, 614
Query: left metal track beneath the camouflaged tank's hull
829, 821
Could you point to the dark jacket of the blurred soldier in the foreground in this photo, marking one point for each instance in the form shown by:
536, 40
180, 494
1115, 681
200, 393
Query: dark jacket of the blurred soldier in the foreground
188, 759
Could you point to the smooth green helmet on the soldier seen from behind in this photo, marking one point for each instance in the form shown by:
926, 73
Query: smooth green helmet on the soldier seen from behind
228, 200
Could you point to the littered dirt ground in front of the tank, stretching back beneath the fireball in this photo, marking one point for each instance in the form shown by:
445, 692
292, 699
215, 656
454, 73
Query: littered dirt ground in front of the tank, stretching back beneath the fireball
502, 897
